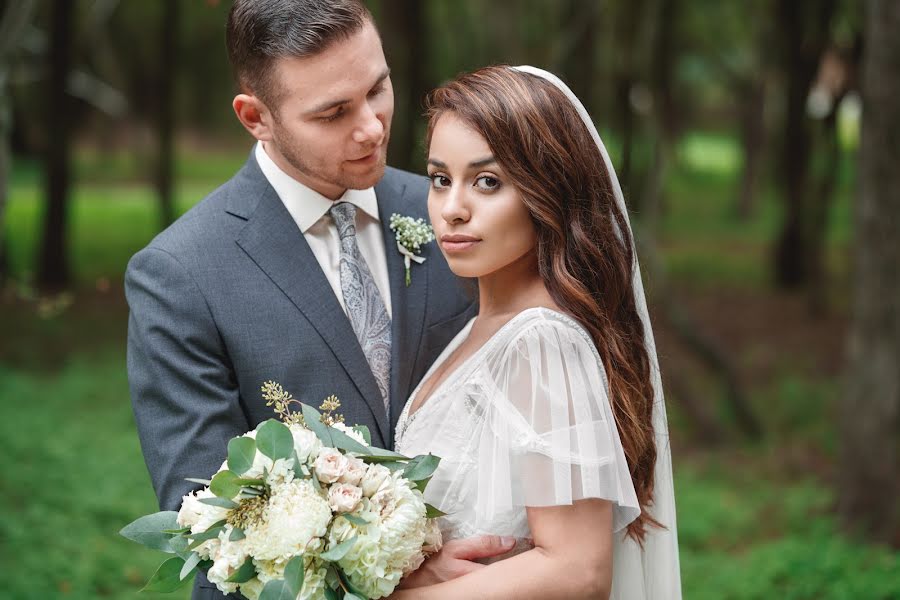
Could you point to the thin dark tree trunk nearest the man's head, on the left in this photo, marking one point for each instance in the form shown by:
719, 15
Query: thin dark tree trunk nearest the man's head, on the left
166, 116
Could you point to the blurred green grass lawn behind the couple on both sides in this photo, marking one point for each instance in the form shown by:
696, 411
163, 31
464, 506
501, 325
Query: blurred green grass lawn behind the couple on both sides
751, 526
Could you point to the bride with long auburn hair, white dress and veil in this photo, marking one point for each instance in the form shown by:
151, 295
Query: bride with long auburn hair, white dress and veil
547, 408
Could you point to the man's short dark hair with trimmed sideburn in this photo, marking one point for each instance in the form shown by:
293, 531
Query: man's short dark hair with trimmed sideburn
260, 32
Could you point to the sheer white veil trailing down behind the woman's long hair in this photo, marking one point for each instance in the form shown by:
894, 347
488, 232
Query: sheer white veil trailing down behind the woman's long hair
658, 560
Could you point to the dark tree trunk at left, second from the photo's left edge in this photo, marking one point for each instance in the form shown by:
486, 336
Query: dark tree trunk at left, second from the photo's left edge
53, 271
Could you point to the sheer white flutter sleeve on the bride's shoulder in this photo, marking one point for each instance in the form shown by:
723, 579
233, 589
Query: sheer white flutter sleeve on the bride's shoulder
549, 436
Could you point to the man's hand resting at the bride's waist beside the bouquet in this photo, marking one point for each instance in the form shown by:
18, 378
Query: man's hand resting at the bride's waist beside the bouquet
456, 559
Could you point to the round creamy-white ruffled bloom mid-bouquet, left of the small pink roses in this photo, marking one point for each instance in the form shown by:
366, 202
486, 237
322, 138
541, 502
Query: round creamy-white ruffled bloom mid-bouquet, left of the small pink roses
295, 516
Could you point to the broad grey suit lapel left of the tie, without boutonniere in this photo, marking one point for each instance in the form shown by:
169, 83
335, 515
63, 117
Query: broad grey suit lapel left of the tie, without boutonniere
273, 241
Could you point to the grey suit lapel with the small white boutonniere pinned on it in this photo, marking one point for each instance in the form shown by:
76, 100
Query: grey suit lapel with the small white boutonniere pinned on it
407, 303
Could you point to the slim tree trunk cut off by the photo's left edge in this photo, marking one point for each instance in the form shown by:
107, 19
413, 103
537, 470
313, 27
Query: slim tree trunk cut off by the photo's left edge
12, 23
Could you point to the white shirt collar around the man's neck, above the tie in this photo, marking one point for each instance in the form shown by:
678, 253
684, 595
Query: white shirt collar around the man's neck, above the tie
304, 204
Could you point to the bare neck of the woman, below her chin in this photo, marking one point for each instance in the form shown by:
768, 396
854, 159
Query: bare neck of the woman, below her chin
513, 288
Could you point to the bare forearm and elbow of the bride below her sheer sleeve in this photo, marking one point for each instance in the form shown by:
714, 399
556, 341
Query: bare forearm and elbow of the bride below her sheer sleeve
572, 558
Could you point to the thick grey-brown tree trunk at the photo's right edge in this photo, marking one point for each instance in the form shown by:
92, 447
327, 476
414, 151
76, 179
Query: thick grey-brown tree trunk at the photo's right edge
868, 483
